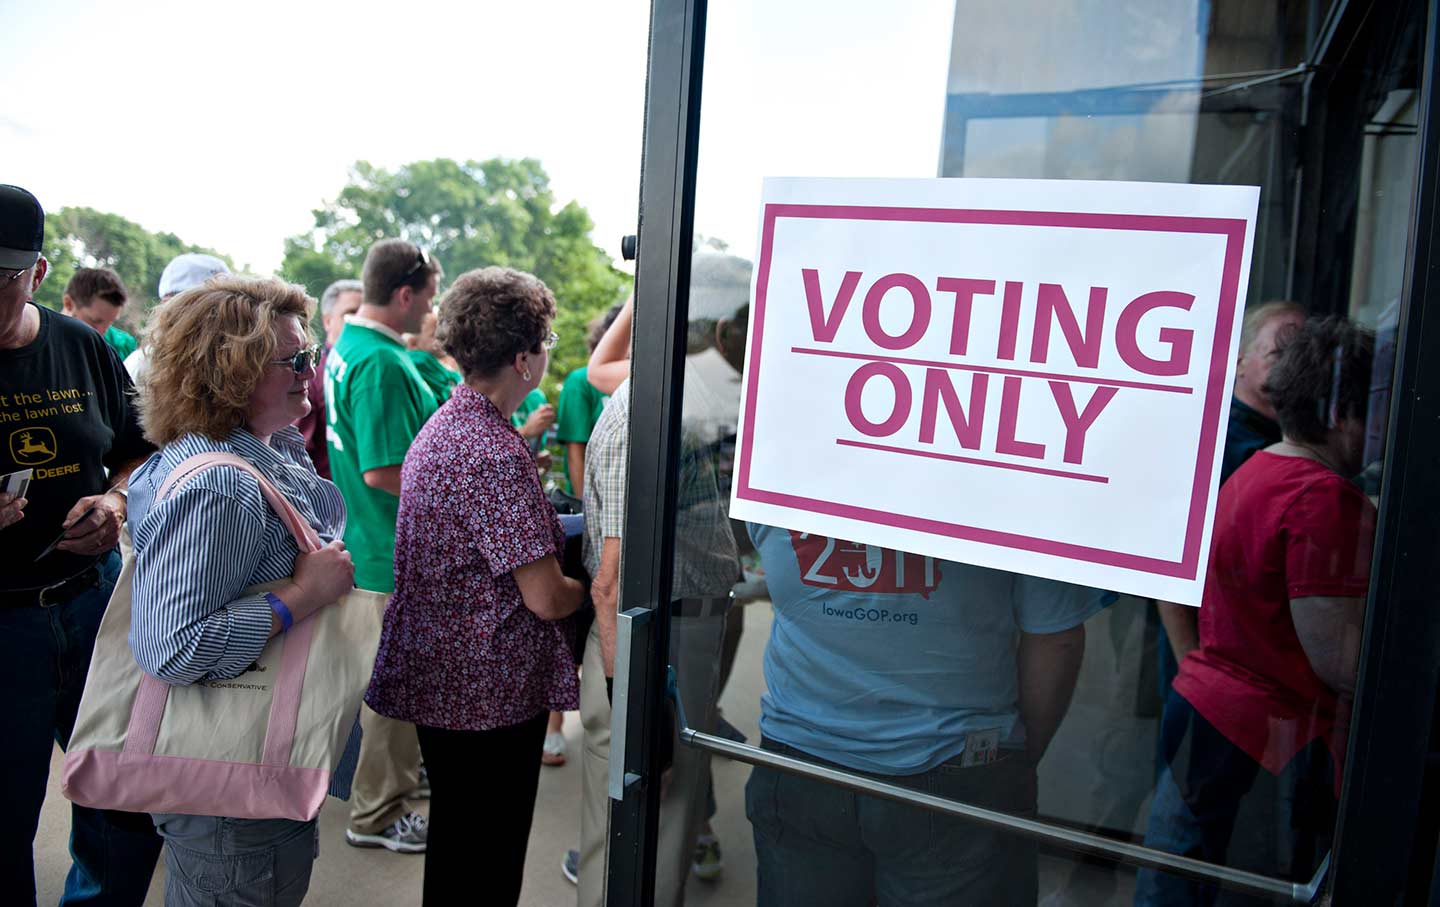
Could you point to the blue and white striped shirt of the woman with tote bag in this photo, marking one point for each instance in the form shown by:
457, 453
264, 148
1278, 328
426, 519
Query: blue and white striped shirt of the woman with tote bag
214, 538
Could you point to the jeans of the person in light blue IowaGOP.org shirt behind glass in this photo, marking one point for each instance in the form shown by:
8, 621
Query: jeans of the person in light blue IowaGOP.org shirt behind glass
819, 844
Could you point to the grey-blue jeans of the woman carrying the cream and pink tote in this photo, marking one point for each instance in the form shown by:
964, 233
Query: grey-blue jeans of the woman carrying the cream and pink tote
212, 862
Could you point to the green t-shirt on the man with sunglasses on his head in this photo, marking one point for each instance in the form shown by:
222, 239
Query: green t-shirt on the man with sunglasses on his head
377, 402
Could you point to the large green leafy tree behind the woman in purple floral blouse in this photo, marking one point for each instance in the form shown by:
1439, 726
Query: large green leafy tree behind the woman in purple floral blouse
467, 215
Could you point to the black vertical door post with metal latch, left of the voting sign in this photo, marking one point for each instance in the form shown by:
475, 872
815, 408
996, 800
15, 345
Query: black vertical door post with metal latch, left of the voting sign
657, 372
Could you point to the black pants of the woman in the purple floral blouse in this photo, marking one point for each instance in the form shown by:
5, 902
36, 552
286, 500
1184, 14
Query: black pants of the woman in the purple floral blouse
483, 798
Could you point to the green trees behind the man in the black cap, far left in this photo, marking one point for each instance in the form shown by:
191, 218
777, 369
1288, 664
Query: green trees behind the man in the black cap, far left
86, 238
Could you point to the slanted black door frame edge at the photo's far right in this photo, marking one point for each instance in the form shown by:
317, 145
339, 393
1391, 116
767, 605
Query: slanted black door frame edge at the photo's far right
1400, 659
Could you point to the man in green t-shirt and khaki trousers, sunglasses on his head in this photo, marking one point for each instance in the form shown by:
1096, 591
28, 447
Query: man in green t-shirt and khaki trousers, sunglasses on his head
377, 402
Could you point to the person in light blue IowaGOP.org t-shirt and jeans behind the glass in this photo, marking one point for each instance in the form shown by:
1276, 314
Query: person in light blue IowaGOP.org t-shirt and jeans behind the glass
941, 677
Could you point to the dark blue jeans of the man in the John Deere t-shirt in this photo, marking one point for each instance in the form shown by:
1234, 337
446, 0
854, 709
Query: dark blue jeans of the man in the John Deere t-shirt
44, 657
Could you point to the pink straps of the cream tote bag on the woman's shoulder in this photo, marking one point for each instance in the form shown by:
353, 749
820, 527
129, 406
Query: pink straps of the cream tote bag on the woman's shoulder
280, 734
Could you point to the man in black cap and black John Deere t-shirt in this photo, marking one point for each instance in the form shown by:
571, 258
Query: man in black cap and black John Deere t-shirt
70, 436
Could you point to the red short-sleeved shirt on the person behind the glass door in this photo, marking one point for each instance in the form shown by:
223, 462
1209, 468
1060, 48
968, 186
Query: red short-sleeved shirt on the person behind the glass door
1285, 529
